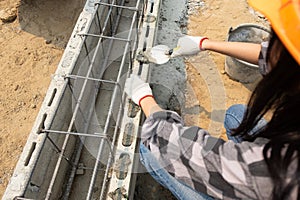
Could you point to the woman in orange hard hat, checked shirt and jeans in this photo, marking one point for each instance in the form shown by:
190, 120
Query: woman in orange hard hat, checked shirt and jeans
262, 160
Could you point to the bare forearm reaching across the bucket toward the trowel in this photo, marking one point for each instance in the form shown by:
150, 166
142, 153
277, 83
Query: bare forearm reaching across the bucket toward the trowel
248, 52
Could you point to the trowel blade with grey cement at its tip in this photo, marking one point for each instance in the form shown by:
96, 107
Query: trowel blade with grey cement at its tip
159, 54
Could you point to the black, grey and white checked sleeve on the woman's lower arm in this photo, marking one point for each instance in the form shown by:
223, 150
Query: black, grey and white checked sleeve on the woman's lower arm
210, 165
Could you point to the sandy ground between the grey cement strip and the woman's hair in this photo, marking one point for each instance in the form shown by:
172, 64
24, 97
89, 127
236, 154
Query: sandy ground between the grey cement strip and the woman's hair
213, 20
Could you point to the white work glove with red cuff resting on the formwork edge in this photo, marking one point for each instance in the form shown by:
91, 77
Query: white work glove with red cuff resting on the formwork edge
137, 89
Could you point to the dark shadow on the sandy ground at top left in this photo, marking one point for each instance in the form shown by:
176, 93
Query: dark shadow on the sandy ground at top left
53, 20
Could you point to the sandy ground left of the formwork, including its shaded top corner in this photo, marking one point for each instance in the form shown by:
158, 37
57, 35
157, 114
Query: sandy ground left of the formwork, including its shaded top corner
30, 48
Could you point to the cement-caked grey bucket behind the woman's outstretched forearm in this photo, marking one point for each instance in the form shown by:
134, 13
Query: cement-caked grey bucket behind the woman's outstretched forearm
239, 70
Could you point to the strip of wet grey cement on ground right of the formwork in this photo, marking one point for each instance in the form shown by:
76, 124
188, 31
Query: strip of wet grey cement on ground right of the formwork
168, 80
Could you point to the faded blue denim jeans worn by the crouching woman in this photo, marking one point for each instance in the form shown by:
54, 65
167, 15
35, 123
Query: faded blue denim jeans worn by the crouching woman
233, 118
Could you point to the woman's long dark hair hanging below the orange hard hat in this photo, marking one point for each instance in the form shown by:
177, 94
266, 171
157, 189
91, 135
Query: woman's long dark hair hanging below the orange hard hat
278, 93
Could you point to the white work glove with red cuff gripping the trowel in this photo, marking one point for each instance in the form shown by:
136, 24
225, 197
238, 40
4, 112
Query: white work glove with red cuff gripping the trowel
188, 45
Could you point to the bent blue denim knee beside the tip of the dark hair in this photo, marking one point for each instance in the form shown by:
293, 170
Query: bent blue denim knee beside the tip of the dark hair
234, 115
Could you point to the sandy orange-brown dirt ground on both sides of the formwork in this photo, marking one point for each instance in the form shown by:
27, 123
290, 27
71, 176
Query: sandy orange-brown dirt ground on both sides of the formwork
32, 37
